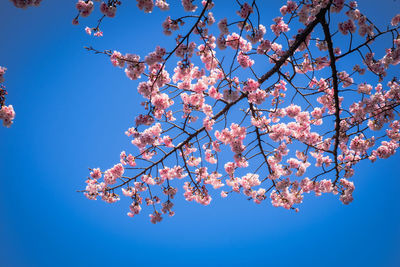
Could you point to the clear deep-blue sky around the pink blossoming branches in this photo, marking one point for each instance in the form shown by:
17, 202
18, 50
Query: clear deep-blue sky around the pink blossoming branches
72, 110
